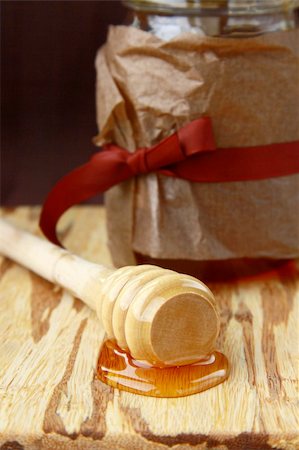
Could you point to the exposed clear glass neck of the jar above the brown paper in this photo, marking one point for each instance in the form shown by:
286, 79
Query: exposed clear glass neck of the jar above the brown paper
167, 19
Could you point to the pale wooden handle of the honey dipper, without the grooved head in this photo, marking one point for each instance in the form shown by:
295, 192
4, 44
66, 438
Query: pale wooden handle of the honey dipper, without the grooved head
82, 278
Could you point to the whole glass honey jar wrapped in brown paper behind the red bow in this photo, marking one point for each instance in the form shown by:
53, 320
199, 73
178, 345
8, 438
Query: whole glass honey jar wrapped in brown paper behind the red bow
235, 62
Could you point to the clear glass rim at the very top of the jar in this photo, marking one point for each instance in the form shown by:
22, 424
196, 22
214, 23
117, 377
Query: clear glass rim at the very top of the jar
219, 7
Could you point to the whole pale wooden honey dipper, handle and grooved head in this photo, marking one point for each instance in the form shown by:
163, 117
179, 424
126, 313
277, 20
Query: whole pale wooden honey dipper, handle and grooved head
157, 315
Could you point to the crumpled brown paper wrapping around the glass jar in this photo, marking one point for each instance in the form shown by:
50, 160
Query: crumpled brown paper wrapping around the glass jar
147, 88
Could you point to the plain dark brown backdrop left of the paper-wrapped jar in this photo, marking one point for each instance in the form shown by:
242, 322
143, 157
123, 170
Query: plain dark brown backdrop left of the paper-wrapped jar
48, 90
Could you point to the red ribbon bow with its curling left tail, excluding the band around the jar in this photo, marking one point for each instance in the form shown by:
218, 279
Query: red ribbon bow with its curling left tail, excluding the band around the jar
115, 164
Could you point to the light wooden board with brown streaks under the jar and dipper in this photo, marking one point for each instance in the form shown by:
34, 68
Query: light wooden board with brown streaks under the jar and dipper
50, 397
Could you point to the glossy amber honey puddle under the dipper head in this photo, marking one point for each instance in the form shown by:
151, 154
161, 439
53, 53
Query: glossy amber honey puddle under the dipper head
119, 370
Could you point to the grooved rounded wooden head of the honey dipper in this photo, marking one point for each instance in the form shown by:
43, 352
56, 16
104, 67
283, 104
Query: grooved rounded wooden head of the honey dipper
160, 316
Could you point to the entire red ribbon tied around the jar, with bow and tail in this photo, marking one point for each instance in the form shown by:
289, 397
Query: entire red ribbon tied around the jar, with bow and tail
190, 153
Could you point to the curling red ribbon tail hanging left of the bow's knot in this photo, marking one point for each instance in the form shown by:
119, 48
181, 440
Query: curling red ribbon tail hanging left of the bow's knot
81, 184
